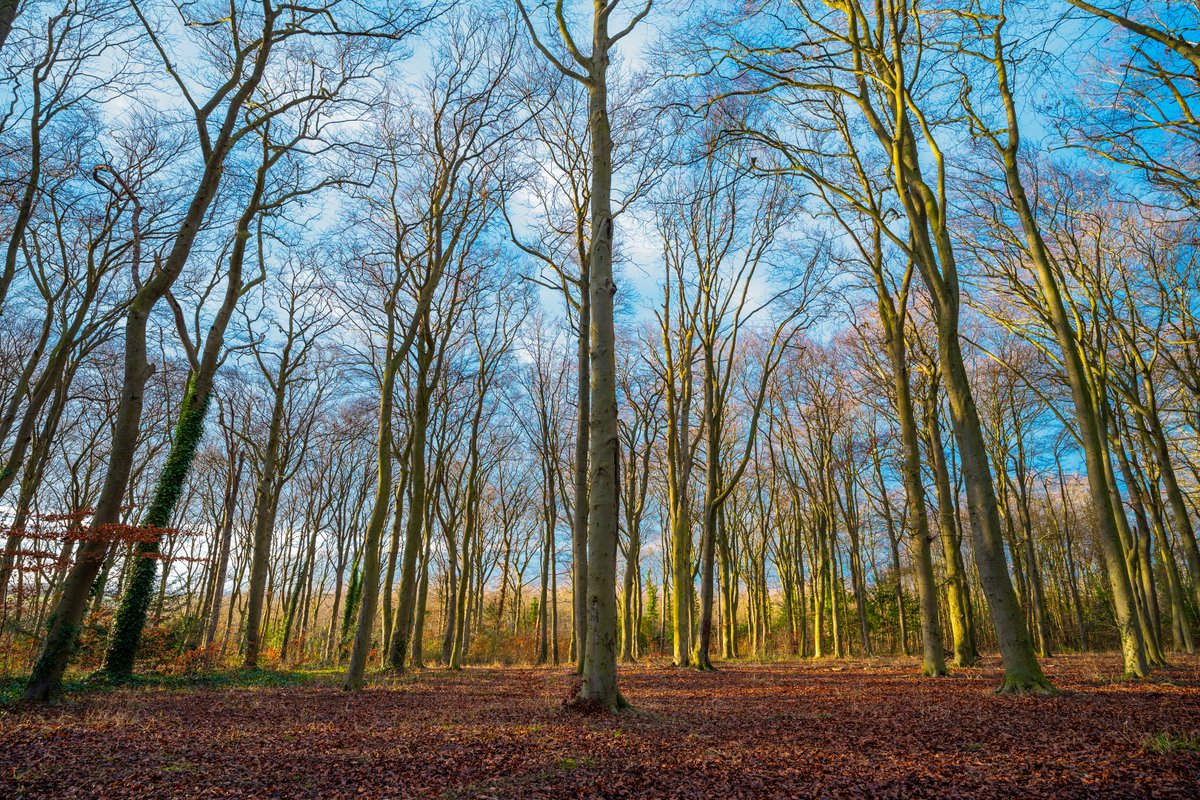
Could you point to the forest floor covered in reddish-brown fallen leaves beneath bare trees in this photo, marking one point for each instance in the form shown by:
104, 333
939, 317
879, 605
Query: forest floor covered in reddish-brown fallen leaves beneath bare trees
788, 730
